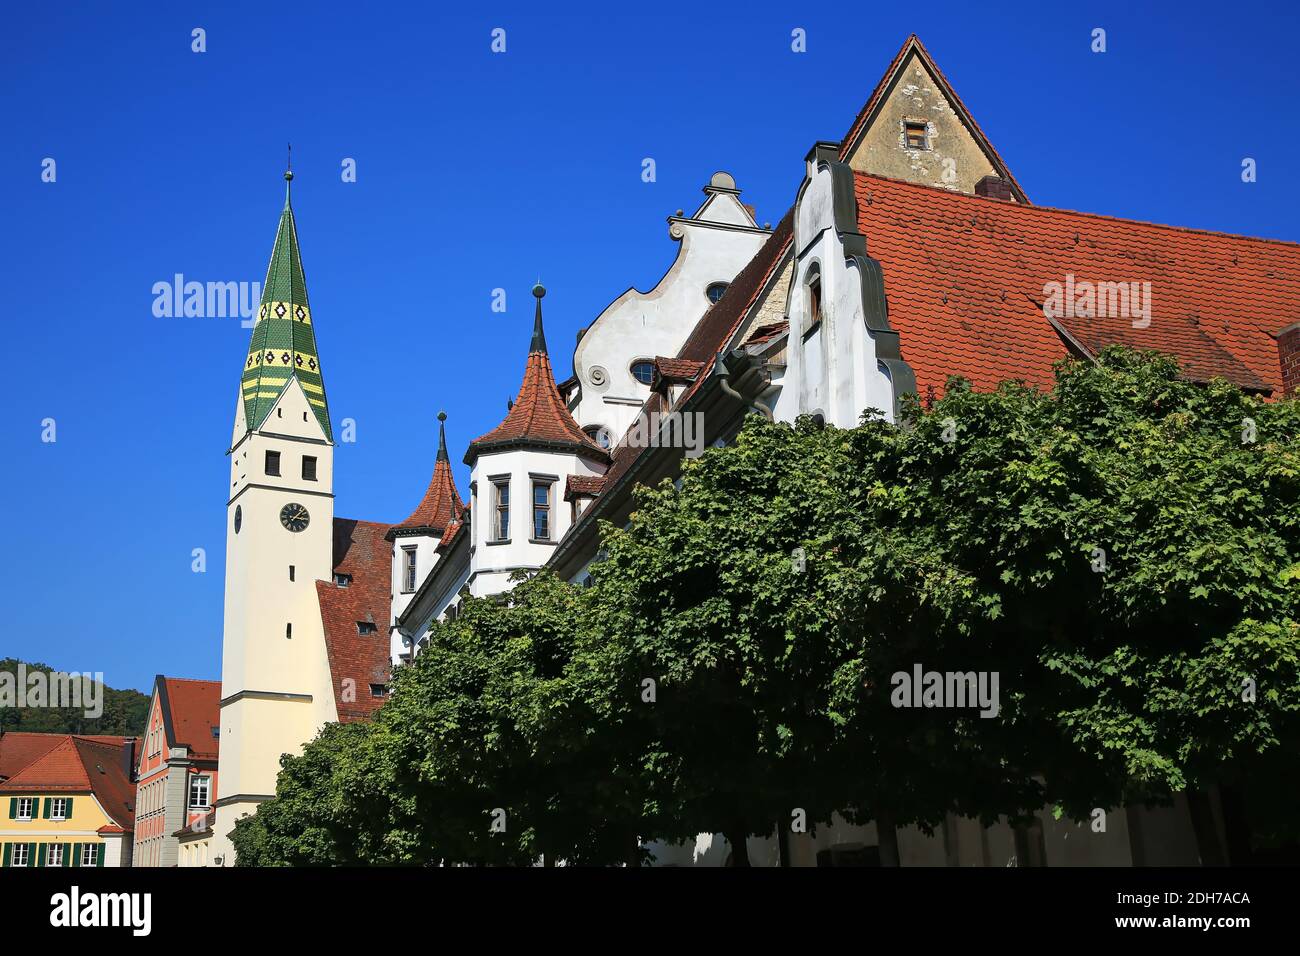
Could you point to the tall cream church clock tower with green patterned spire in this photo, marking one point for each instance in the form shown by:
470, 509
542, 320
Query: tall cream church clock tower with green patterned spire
276, 686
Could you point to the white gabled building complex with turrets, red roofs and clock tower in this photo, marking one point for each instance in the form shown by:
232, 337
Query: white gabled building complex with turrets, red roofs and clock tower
909, 254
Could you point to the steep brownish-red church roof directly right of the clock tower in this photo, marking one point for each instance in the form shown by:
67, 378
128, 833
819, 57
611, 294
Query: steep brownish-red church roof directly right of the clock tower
358, 660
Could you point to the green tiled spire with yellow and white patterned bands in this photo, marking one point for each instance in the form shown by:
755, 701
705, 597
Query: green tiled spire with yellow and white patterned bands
284, 343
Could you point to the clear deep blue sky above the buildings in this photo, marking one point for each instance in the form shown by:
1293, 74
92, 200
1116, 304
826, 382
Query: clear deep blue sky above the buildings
475, 172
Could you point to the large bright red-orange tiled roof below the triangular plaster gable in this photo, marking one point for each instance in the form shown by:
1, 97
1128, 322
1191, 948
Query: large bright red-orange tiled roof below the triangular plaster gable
965, 280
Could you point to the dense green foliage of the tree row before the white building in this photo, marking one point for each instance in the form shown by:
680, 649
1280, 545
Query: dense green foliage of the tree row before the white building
1124, 553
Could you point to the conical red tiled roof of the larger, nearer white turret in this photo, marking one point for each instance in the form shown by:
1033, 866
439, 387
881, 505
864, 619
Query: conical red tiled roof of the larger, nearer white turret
539, 417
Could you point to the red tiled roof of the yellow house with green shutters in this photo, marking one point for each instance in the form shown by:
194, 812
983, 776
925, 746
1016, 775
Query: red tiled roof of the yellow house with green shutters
98, 765
